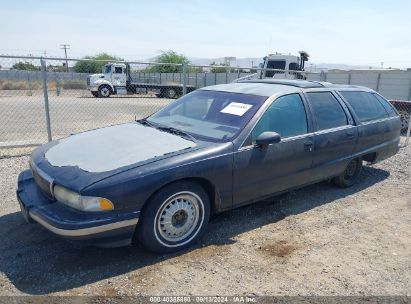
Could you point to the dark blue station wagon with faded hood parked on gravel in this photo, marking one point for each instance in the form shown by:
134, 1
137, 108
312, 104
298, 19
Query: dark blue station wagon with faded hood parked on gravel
157, 180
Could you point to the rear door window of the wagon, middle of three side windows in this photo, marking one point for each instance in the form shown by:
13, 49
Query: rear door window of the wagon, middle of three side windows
327, 110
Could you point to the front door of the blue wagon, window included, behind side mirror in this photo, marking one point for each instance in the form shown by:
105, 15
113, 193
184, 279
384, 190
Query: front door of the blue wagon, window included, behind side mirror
260, 172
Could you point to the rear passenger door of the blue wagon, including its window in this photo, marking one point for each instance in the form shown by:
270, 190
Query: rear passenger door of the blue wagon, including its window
335, 135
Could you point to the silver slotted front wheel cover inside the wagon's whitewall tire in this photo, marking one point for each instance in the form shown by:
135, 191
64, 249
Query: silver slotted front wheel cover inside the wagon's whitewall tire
178, 217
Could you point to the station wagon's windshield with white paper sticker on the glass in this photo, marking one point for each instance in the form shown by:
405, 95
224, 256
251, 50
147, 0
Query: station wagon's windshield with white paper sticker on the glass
212, 115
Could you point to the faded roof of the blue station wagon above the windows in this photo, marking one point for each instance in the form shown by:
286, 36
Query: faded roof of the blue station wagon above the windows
269, 87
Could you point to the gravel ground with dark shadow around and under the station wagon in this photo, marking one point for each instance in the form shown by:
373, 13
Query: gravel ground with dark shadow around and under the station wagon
319, 240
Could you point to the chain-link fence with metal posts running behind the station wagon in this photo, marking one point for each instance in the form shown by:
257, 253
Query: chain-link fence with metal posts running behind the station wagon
43, 98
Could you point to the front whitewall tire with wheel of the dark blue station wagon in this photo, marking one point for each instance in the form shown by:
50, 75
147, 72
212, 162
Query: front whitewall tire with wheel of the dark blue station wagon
161, 230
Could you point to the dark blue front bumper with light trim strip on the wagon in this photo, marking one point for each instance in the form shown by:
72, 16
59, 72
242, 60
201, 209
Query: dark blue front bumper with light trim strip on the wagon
107, 229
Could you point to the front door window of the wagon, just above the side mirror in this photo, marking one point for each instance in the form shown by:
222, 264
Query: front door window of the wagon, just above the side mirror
286, 116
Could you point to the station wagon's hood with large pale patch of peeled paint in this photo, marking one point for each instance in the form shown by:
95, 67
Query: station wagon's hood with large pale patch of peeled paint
85, 158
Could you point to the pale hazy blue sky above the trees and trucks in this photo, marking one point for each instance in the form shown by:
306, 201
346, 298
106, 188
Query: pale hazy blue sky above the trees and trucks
344, 32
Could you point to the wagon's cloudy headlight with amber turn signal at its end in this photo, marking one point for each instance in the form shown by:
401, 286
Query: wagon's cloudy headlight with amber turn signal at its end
83, 203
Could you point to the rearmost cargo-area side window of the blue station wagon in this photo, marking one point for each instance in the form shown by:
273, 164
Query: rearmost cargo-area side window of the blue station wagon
365, 105
